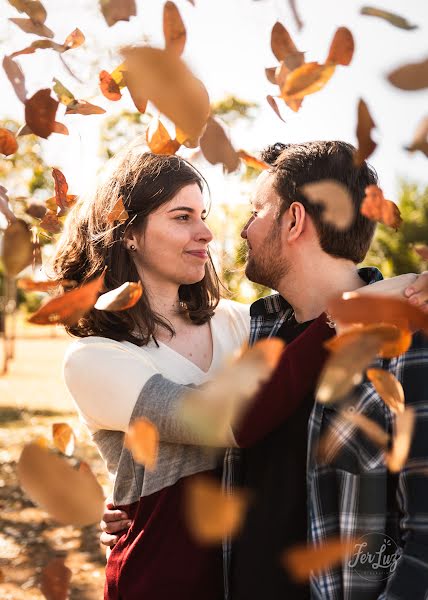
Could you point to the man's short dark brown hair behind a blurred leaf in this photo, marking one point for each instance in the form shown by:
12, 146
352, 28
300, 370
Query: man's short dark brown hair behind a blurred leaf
294, 165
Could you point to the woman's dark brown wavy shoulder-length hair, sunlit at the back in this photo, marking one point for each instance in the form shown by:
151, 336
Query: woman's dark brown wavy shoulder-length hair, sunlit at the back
90, 243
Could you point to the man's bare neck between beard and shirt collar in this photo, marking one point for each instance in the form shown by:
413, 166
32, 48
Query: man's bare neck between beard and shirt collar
310, 289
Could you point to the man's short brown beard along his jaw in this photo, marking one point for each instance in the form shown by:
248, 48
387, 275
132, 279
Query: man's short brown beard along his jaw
268, 267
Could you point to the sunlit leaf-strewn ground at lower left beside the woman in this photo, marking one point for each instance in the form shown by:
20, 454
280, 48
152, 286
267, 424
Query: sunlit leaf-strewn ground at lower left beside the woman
32, 398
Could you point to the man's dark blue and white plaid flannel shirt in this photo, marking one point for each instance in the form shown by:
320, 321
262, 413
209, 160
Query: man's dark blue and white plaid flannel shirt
355, 494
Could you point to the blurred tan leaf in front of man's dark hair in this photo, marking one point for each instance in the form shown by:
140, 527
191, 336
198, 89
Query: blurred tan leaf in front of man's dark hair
334, 197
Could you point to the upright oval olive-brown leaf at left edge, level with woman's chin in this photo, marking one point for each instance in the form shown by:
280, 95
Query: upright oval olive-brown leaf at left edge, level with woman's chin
17, 247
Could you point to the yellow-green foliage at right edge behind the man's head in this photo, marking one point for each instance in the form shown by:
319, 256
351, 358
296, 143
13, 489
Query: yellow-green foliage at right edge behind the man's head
392, 252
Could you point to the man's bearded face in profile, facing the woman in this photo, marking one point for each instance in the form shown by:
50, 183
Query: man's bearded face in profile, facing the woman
265, 261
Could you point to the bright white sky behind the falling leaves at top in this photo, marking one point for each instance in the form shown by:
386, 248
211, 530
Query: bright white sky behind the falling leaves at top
228, 47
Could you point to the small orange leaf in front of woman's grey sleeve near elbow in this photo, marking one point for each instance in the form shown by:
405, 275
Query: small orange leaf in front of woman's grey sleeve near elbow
142, 439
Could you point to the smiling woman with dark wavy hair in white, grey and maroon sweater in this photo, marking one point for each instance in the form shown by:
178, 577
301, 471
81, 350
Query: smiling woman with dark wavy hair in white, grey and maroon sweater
129, 364
